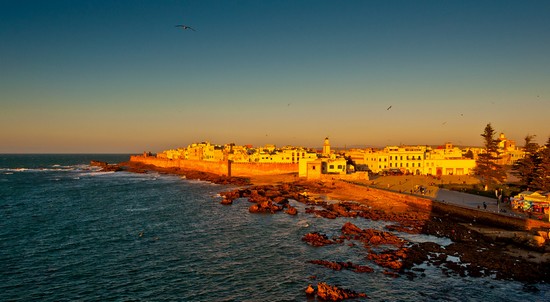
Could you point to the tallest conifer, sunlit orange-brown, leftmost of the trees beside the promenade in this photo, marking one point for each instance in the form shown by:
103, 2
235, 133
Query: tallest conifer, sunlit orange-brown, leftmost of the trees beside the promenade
487, 168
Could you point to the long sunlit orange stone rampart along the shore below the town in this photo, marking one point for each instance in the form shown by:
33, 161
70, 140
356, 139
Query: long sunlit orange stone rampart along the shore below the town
219, 167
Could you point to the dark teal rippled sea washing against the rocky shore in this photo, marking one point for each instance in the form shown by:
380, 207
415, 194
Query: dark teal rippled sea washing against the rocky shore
71, 233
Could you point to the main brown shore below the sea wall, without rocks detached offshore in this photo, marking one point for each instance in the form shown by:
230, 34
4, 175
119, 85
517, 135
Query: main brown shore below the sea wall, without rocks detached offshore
485, 249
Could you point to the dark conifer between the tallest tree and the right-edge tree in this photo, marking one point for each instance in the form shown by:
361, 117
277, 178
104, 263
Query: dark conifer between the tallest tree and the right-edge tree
525, 168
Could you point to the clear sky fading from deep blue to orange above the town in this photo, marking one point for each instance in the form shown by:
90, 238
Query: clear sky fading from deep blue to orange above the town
117, 76
